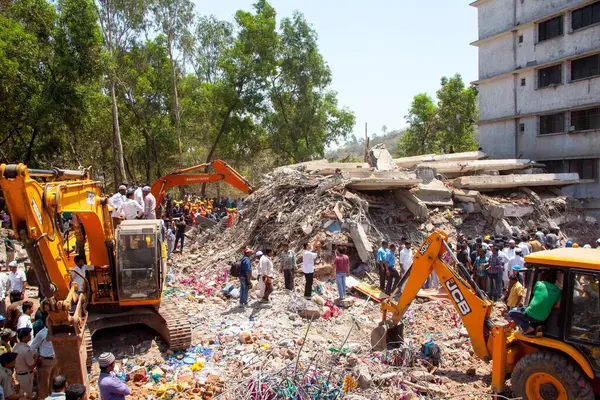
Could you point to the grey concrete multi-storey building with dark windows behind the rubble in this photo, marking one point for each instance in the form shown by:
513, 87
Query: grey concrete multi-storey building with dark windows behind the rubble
539, 85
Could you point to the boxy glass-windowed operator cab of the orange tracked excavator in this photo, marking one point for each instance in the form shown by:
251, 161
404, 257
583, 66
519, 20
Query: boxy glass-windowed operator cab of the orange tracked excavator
140, 260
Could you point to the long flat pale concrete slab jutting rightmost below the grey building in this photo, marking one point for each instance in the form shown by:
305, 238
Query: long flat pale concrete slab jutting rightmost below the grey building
486, 182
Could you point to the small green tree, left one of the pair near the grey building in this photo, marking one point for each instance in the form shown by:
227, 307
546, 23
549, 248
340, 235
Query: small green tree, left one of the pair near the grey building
421, 137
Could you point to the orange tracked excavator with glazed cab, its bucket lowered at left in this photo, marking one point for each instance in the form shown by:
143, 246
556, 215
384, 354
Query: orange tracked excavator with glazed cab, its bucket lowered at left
126, 271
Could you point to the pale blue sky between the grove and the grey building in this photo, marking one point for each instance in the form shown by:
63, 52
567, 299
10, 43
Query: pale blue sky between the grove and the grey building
381, 52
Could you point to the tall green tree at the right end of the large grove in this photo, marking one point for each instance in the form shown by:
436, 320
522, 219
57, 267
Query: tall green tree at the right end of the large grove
306, 117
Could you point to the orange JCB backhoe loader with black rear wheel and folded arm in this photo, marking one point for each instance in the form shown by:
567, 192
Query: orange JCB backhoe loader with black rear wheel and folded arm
561, 364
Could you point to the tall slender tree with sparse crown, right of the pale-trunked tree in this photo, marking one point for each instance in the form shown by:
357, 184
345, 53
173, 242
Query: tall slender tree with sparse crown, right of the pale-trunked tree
173, 18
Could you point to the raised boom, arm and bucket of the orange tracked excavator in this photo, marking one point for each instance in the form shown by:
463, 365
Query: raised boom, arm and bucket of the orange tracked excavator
35, 210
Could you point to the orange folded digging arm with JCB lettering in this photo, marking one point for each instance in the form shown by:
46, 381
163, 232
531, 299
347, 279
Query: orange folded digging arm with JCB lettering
470, 302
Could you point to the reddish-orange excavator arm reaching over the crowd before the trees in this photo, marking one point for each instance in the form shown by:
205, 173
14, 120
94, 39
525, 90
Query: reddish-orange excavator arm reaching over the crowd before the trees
222, 172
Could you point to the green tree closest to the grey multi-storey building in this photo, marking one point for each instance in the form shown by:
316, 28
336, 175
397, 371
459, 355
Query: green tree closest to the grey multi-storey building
457, 113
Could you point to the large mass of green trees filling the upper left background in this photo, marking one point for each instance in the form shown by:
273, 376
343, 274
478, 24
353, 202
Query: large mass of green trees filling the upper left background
138, 88
